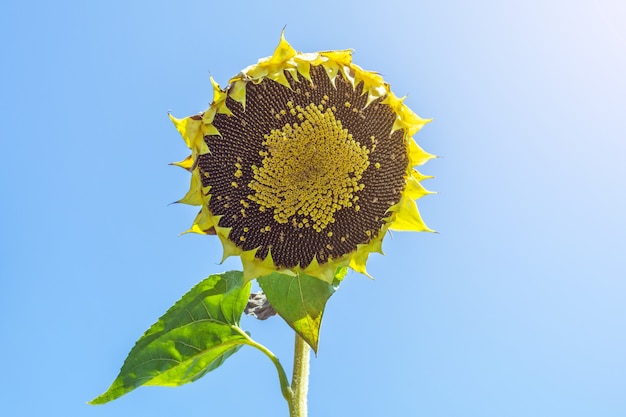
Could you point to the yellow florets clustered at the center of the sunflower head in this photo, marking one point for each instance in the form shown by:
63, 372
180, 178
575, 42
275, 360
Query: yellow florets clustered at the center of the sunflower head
310, 169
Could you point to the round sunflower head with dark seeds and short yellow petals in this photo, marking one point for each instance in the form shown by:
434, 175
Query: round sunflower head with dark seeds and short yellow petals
303, 163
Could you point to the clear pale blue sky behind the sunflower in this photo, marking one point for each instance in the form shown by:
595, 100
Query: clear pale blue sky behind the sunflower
516, 308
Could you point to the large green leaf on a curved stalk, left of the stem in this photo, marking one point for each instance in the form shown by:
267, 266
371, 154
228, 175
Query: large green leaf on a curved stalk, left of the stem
194, 337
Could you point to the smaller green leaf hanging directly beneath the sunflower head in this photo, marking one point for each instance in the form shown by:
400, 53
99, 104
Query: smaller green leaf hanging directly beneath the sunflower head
300, 300
